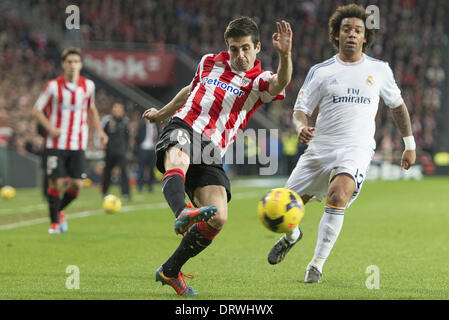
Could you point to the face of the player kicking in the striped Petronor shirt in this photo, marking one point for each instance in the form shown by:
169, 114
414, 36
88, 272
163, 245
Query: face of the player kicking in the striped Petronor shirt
242, 52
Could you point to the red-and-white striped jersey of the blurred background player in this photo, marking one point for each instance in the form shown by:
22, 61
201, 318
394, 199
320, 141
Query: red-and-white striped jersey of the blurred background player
66, 105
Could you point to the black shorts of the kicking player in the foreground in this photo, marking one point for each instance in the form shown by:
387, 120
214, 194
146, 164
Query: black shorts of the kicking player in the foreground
205, 167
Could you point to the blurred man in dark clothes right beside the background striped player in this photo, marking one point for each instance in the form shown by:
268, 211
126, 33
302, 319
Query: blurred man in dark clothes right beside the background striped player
116, 126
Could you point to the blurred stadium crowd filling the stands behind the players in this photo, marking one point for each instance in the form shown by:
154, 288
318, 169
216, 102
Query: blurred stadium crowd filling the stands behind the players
411, 38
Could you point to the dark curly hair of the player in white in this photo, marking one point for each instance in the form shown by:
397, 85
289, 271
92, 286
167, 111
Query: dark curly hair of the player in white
349, 11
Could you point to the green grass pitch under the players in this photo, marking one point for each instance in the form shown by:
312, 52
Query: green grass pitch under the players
399, 226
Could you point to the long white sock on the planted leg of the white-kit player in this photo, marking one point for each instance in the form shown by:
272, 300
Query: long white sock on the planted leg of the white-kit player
328, 231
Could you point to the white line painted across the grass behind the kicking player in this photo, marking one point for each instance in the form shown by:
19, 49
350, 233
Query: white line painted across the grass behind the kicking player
89, 213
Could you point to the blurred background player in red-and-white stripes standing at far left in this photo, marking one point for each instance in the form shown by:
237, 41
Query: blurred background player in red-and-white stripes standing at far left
63, 109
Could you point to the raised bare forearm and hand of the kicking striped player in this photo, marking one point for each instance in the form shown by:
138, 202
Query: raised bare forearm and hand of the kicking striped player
282, 42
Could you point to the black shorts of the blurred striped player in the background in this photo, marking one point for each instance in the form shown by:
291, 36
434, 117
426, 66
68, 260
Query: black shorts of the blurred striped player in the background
66, 163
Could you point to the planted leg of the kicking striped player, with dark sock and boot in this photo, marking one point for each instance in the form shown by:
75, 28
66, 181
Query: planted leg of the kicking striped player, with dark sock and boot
199, 236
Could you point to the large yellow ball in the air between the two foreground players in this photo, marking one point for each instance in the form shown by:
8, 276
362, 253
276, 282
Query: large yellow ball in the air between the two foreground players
280, 210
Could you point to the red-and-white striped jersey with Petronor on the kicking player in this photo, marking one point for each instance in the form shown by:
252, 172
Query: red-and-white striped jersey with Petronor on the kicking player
223, 100
